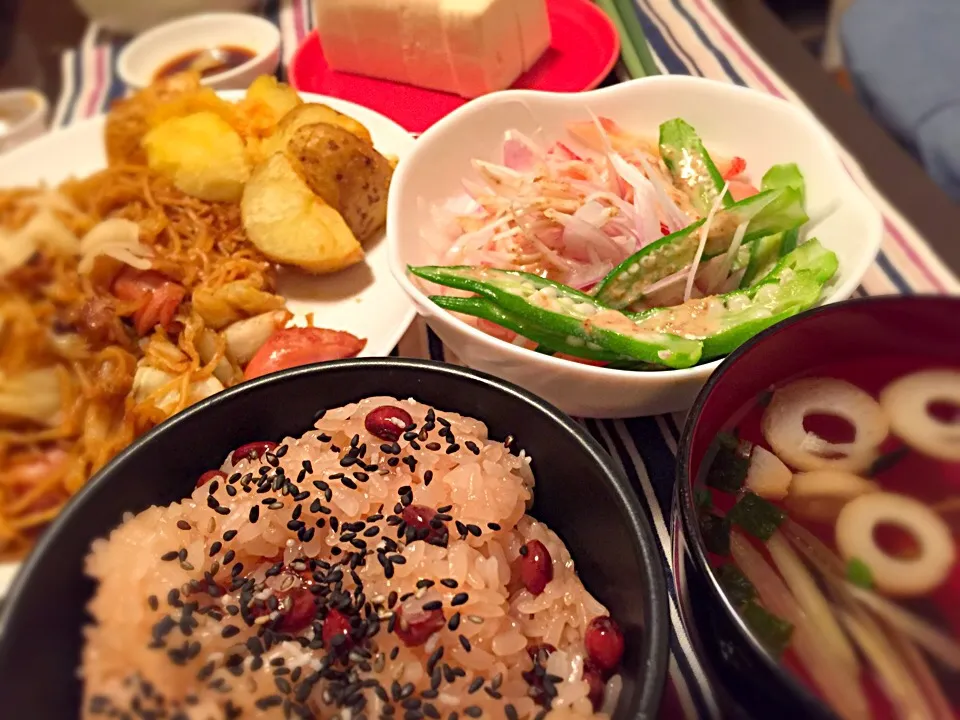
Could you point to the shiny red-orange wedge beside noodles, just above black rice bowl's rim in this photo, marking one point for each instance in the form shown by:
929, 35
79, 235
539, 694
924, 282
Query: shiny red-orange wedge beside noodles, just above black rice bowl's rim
293, 347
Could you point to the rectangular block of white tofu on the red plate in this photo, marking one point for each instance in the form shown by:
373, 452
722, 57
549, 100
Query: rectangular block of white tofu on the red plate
467, 47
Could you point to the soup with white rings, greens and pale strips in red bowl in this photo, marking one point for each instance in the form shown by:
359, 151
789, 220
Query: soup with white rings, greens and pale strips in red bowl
830, 507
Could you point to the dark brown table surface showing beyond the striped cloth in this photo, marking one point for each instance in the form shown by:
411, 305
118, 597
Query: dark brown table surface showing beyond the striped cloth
33, 34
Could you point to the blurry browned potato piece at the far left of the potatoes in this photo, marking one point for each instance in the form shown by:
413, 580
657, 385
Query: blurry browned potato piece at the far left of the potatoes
127, 122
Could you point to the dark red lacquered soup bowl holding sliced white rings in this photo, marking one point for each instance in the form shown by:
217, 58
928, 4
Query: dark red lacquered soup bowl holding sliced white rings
866, 342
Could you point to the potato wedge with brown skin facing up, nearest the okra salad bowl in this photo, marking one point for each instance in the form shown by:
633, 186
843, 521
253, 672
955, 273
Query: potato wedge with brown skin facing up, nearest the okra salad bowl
346, 172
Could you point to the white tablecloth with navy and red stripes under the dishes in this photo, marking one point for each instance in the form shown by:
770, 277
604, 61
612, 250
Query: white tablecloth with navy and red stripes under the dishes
687, 37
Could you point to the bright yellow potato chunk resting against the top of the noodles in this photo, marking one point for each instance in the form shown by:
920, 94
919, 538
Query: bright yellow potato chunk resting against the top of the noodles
201, 154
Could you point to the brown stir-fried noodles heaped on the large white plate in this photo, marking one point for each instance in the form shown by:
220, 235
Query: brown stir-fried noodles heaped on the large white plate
66, 354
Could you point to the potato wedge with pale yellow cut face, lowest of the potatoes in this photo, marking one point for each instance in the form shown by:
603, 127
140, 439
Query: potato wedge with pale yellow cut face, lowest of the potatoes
290, 225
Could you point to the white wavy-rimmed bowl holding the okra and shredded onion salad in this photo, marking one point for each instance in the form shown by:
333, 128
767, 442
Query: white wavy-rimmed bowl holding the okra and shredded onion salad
732, 120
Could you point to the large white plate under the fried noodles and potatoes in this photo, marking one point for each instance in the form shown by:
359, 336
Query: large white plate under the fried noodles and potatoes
364, 300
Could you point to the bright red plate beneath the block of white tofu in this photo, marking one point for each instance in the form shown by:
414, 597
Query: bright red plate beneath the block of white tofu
584, 49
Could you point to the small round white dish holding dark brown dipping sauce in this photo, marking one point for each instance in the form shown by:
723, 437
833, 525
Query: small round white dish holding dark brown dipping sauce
148, 53
